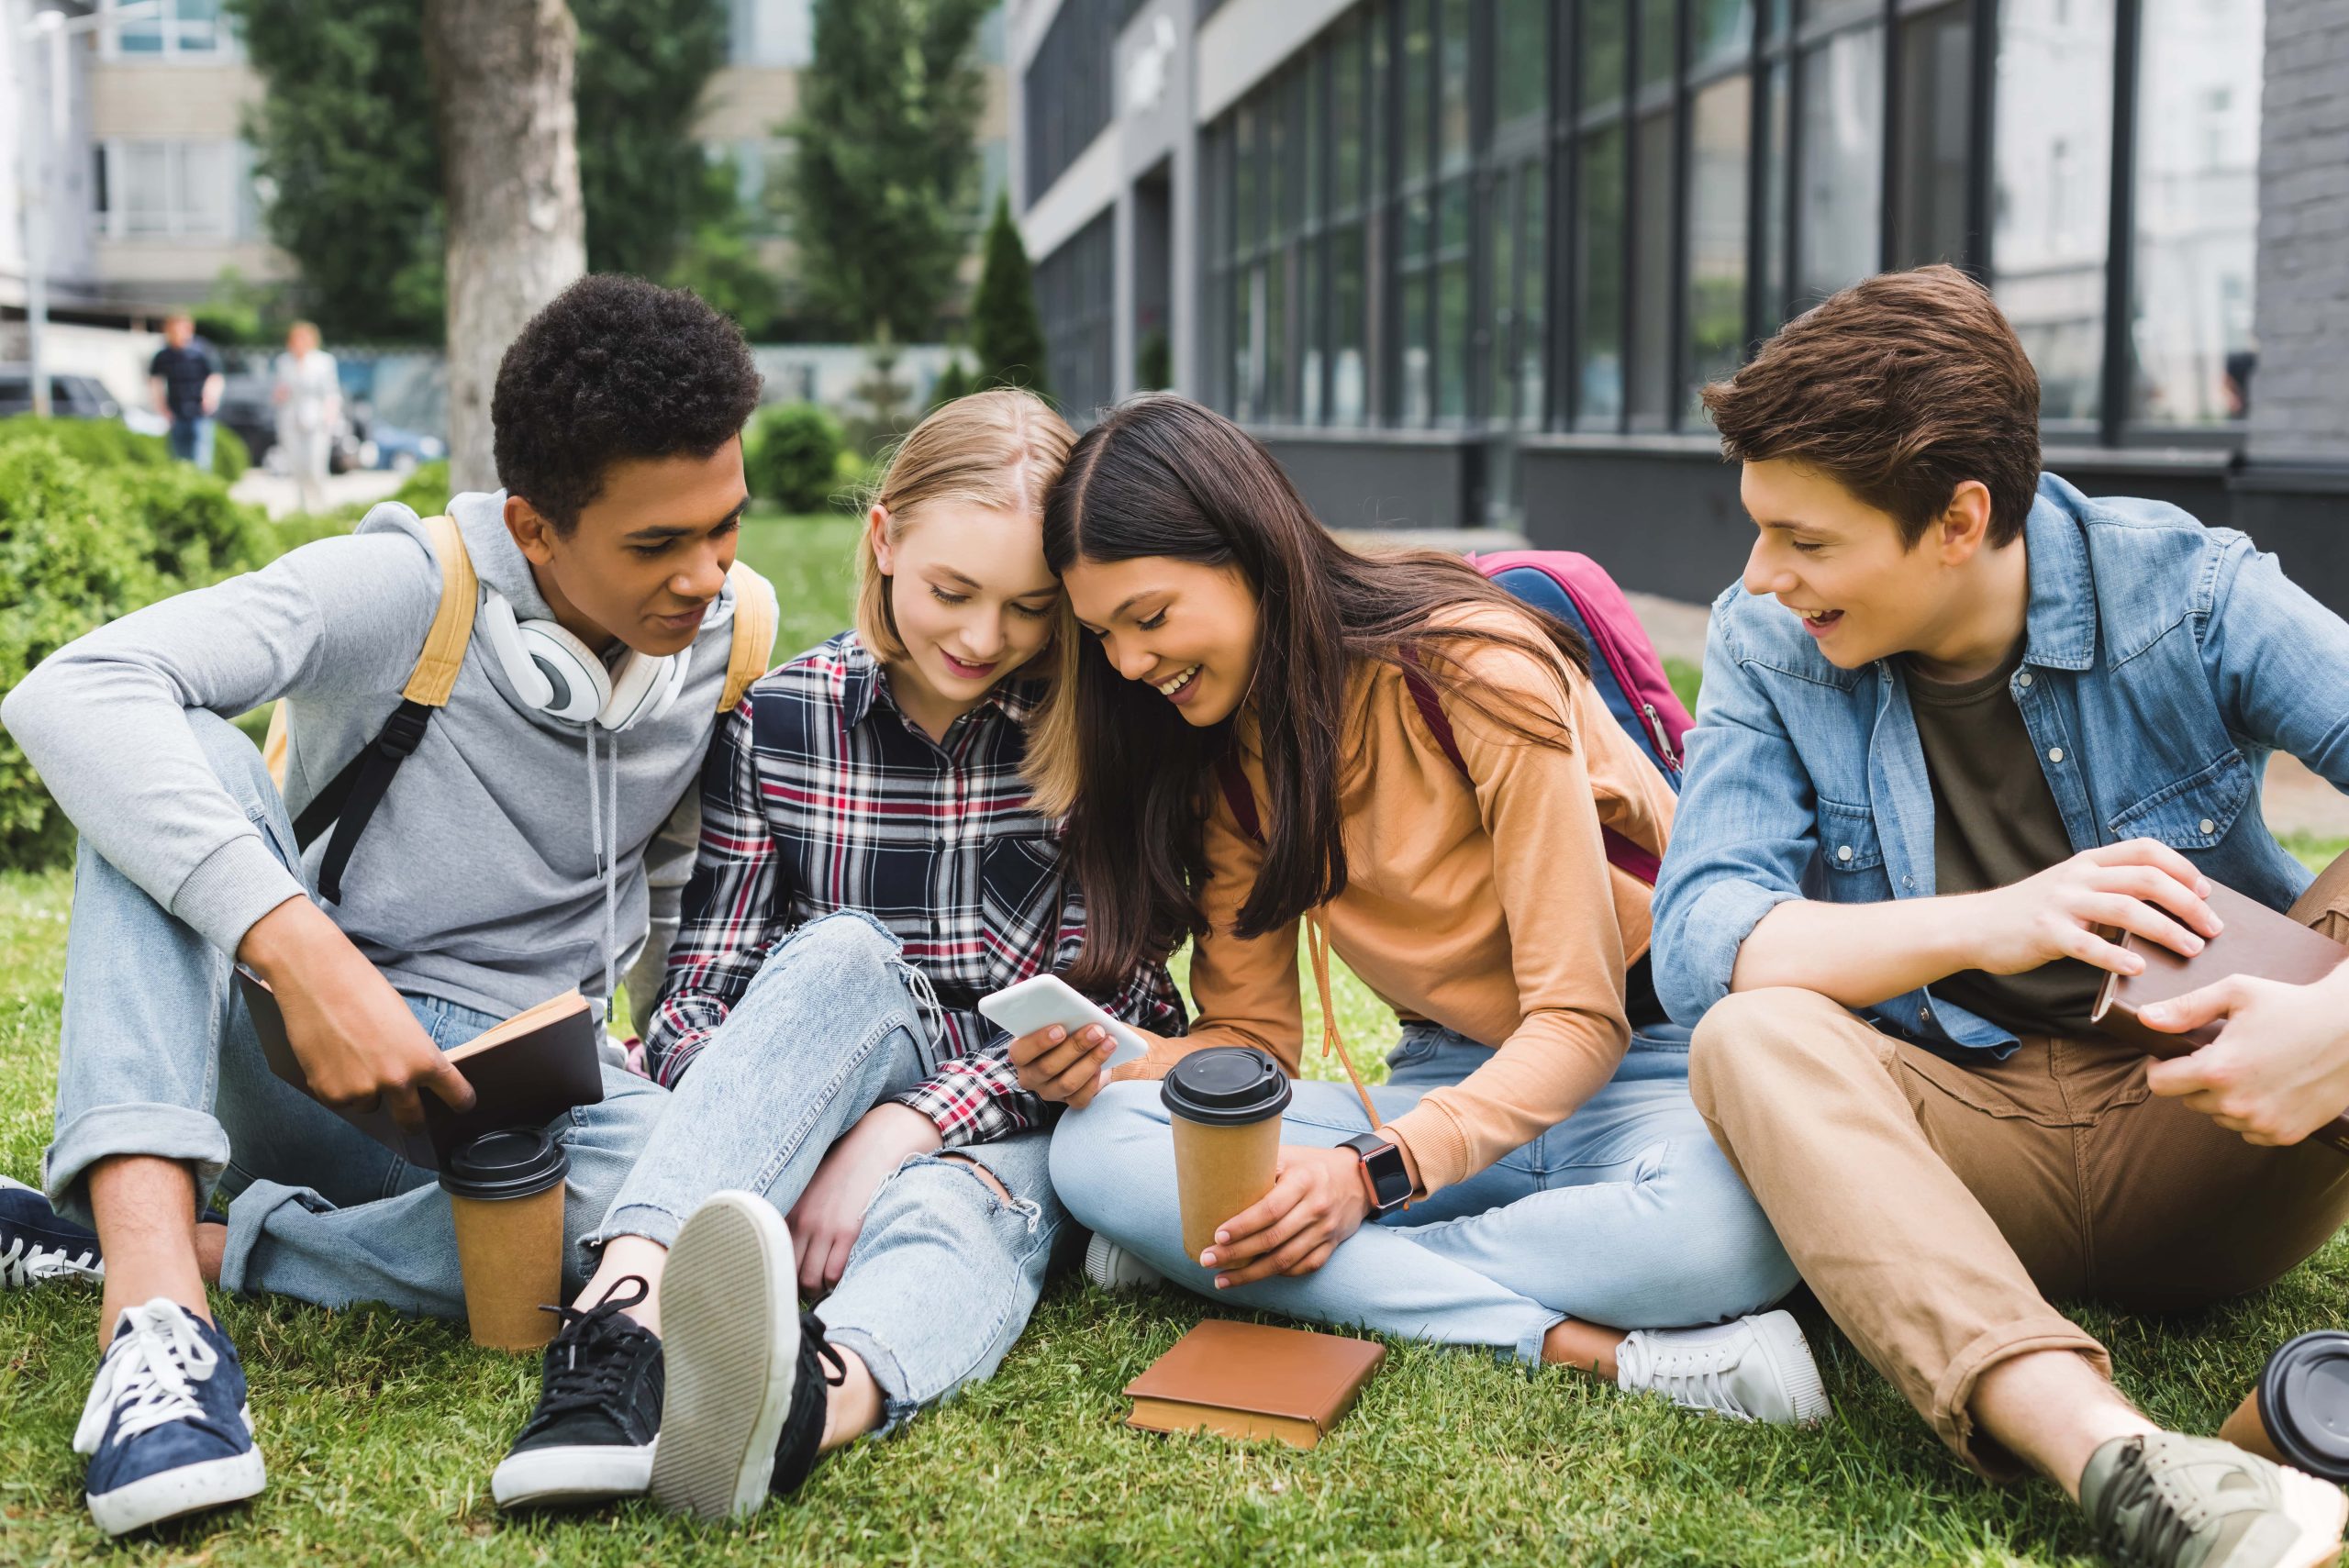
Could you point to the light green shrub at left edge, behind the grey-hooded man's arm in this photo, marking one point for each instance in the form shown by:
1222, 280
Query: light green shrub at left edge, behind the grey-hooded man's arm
67, 565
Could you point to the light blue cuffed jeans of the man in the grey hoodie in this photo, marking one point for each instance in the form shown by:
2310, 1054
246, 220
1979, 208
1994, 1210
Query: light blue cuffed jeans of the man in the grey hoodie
159, 1057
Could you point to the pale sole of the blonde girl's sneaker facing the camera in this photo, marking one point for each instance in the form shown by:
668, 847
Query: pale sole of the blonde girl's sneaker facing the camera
729, 1334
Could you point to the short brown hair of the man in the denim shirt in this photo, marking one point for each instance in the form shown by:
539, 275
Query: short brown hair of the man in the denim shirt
1899, 388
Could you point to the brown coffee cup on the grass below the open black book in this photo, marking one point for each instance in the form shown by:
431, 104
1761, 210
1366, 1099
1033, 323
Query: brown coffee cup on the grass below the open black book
506, 1194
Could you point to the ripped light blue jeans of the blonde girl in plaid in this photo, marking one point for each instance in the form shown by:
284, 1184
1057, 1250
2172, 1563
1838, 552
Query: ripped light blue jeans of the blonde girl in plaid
943, 1276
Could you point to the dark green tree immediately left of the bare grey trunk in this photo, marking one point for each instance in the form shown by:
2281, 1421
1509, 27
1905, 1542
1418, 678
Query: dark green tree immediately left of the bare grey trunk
346, 142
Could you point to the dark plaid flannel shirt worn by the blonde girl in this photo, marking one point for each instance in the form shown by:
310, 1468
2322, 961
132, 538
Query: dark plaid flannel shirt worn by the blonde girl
821, 795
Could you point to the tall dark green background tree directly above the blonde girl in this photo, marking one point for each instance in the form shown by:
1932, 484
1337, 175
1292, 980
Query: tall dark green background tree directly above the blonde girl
887, 161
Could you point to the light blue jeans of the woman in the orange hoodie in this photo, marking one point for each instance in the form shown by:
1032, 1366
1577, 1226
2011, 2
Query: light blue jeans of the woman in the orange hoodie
1624, 1215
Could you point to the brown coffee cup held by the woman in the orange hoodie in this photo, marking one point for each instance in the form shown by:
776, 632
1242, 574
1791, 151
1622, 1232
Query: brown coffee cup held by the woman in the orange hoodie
1225, 1107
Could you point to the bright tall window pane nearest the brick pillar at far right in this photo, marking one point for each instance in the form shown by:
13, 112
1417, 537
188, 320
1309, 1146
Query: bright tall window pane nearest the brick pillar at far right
2197, 212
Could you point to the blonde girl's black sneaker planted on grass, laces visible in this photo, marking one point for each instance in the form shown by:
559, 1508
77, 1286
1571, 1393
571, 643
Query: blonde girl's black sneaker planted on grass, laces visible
598, 1419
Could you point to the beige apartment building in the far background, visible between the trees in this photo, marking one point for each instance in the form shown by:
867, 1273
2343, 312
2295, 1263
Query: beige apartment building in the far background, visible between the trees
154, 191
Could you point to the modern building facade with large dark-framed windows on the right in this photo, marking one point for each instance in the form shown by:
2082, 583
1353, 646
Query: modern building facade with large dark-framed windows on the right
1469, 262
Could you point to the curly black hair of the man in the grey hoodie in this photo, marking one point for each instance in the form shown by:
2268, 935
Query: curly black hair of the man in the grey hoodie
614, 370
